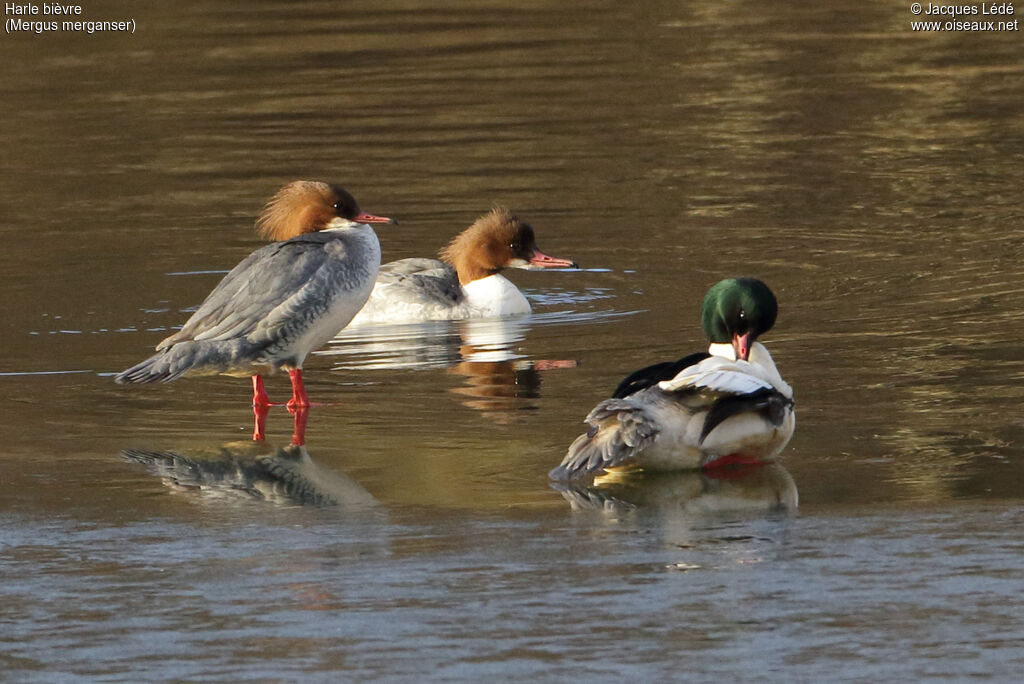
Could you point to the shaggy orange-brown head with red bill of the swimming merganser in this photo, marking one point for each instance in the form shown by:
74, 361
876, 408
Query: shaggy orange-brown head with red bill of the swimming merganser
496, 241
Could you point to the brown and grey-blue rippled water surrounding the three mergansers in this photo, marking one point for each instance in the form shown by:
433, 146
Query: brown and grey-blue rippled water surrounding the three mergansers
872, 176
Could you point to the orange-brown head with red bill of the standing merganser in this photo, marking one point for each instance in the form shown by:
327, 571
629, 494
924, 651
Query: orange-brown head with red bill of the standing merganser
309, 206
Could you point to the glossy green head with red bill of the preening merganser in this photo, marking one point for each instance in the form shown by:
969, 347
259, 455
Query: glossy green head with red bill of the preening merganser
737, 312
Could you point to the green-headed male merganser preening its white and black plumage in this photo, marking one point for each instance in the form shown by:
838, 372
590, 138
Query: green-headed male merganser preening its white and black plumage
705, 411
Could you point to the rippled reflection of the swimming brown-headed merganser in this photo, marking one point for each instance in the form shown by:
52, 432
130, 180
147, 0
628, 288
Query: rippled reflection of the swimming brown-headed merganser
498, 380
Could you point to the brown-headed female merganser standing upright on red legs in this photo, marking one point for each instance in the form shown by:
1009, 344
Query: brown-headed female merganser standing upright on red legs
284, 301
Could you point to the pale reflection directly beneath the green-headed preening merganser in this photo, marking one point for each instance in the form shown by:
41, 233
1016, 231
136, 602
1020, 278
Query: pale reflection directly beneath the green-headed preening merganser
750, 488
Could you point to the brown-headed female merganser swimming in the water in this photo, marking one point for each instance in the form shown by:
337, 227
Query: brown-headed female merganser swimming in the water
466, 283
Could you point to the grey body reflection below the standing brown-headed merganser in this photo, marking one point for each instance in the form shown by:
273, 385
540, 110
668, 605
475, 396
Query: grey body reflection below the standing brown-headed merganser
253, 471
